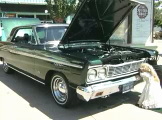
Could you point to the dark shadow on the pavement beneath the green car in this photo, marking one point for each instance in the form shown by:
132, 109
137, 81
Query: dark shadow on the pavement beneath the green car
40, 97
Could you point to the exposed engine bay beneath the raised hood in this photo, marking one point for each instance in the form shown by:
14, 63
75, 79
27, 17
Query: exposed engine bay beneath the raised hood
111, 54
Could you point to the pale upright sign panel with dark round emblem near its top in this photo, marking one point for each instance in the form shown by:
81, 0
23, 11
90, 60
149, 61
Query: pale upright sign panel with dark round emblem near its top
142, 23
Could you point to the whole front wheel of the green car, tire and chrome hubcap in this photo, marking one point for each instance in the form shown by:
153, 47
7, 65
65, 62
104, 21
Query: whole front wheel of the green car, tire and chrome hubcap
62, 93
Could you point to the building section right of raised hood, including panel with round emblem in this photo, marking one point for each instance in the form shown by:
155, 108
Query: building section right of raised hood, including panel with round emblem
137, 29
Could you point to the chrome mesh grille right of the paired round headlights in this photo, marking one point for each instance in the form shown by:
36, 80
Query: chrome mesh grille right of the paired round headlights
115, 70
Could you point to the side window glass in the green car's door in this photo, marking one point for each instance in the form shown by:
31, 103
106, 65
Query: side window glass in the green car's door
24, 36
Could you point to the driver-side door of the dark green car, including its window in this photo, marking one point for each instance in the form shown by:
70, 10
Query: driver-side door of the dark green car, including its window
23, 50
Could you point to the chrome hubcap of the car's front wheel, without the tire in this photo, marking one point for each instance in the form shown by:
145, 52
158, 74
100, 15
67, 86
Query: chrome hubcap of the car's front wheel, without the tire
59, 89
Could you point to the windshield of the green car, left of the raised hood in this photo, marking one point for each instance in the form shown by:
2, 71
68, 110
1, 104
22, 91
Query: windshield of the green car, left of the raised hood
50, 35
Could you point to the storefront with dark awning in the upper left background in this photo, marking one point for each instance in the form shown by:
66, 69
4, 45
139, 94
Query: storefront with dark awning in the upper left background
24, 9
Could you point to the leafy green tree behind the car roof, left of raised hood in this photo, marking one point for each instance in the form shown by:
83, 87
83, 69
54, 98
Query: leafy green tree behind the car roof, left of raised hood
60, 9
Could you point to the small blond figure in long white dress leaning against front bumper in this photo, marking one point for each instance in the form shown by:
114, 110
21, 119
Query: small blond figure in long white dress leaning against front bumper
151, 96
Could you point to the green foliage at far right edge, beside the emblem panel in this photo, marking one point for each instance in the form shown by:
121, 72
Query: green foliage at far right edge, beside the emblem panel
157, 14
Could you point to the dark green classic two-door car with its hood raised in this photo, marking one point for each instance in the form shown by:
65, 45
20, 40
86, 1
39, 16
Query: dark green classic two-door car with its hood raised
77, 60
